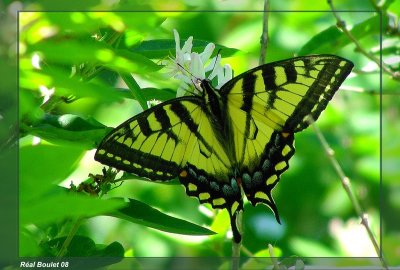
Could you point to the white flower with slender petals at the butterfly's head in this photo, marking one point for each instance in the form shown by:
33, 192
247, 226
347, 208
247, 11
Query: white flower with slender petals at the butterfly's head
188, 67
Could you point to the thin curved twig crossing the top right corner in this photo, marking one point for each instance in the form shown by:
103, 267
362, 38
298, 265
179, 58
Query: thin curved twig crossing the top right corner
342, 25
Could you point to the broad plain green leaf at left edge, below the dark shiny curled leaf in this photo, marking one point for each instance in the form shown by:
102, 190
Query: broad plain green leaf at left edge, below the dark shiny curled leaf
43, 166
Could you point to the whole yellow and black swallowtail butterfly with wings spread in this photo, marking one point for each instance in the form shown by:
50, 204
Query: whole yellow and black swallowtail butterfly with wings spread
223, 143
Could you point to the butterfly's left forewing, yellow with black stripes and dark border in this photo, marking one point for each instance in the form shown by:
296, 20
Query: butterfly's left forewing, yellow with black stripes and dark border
158, 142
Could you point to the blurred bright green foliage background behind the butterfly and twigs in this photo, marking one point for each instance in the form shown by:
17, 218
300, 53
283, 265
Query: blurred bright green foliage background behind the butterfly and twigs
87, 57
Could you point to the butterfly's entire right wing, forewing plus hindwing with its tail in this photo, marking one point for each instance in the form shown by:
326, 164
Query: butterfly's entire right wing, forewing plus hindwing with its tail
267, 105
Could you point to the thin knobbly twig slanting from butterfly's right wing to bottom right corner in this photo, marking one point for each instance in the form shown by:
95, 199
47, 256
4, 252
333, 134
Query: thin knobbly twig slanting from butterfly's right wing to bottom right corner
347, 186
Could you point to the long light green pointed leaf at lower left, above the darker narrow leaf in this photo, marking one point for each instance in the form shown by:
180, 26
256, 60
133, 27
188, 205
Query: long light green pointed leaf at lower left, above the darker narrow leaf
58, 207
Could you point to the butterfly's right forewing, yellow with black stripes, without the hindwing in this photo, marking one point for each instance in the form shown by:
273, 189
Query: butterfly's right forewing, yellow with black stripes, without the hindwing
283, 93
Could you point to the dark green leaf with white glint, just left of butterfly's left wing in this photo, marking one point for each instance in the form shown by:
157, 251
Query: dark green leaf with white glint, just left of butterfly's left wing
69, 128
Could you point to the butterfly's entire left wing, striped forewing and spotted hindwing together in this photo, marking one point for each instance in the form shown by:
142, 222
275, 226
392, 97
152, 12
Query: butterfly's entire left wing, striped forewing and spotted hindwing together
175, 139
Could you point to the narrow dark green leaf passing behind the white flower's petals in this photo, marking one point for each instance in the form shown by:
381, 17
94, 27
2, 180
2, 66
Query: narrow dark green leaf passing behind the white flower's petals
162, 48
